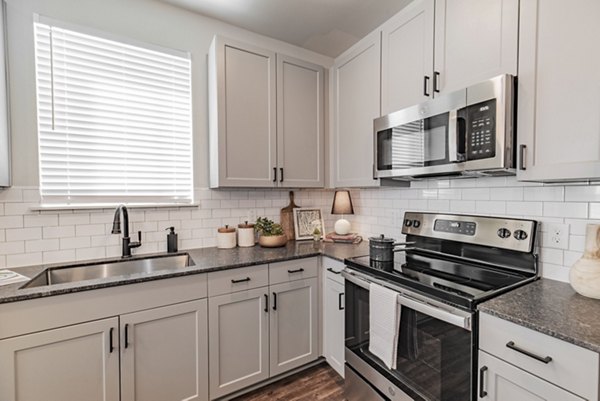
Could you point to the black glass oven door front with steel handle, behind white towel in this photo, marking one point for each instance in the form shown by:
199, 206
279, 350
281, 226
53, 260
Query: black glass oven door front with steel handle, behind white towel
435, 348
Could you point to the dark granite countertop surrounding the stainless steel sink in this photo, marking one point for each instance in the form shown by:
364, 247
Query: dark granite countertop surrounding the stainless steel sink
205, 259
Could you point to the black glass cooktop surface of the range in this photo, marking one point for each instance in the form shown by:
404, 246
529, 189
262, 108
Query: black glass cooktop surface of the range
446, 278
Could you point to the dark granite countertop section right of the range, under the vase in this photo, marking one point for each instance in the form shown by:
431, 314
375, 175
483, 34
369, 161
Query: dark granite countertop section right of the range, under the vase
553, 308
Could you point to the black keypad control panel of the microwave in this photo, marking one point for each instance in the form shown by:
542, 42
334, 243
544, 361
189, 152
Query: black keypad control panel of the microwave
481, 130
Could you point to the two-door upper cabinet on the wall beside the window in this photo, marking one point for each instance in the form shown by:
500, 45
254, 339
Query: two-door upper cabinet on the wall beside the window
265, 118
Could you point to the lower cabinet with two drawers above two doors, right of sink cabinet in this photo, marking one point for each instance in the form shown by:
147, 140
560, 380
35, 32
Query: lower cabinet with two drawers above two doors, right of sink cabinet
259, 331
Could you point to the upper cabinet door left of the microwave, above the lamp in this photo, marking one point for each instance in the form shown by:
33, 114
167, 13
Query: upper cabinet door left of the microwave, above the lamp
356, 76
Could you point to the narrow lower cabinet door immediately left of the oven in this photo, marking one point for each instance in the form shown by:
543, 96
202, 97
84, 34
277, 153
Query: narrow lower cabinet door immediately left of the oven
334, 324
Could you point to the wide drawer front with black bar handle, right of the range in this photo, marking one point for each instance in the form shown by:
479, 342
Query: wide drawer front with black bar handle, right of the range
571, 367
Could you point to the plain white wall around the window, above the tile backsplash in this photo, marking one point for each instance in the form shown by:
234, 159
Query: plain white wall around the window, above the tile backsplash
143, 20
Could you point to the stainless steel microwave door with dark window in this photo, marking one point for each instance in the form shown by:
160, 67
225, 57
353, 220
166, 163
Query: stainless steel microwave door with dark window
426, 139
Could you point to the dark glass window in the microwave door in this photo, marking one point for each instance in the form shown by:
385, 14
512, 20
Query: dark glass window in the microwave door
417, 144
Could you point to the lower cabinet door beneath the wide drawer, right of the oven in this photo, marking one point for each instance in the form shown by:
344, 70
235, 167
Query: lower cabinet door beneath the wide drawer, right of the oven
505, 382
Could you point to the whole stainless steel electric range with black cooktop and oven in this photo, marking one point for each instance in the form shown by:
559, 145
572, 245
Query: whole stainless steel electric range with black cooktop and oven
448, 265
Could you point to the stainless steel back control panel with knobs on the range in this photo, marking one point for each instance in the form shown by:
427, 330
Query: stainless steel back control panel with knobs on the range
498, 232
